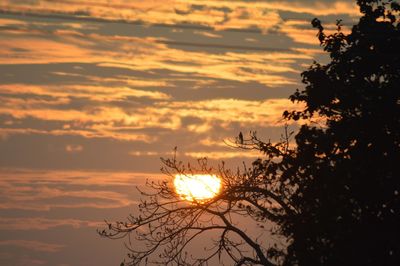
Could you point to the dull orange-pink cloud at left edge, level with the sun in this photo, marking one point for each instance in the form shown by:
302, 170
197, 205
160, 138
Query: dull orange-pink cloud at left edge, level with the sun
42, 191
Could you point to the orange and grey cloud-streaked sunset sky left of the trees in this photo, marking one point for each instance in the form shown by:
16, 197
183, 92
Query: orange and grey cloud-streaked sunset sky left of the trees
93, 93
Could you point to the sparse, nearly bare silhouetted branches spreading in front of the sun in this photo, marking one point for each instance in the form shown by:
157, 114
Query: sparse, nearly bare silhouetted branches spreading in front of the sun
167, 224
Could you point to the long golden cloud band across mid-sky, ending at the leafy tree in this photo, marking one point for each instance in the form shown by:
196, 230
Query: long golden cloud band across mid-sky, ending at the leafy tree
116, 123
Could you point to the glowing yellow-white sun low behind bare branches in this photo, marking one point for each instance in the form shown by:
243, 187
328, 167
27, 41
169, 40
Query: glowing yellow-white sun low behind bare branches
197, 187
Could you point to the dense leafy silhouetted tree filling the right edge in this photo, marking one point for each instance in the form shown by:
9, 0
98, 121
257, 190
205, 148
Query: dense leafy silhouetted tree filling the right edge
347, 171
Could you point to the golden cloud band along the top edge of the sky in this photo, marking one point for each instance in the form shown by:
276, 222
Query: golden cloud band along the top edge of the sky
225, 14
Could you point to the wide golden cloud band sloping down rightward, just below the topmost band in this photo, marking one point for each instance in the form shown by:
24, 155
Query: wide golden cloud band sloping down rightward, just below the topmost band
149, 54
